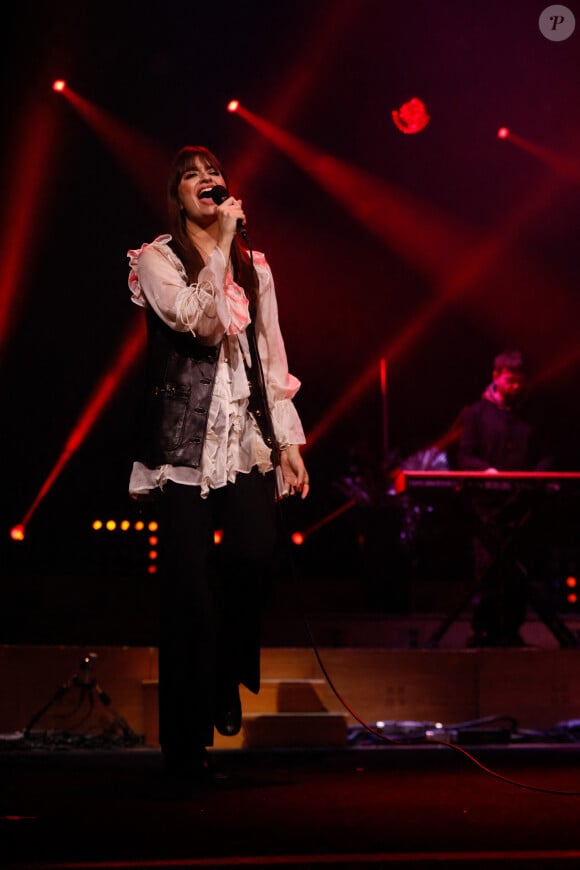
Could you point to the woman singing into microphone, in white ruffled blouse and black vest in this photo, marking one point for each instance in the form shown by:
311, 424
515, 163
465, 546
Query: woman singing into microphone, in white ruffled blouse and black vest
218, 443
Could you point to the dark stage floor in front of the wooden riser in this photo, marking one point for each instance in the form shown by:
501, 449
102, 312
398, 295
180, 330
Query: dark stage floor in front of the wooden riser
393, 806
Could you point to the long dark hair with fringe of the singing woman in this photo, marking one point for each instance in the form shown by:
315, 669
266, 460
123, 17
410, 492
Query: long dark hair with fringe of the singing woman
244, 272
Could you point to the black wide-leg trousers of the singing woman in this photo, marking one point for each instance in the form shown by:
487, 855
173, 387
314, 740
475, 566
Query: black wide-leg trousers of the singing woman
211, 600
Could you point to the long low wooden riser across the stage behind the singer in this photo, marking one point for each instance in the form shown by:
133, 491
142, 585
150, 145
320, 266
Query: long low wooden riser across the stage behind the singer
536, 687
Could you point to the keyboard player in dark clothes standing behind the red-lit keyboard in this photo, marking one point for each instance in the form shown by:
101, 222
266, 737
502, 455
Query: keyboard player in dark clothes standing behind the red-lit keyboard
496, 435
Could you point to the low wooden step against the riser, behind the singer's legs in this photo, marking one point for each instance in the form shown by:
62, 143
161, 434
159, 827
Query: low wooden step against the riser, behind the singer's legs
285, 713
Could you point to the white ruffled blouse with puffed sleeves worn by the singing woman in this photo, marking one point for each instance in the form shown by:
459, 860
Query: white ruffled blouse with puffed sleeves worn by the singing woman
215, 309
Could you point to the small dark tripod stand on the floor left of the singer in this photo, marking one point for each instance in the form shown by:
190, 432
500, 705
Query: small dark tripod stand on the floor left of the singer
87, 687
